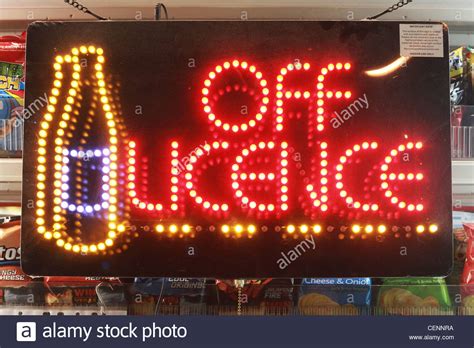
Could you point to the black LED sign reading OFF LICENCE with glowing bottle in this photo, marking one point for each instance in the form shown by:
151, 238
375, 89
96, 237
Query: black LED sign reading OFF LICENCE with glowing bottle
235, 149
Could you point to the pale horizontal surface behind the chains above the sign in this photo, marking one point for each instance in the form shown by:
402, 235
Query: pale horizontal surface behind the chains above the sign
459, 14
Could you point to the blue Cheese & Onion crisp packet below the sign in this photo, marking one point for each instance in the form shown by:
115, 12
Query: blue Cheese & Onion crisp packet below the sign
334, 296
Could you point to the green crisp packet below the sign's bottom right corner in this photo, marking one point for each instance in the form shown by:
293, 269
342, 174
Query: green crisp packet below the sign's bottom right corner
414, 296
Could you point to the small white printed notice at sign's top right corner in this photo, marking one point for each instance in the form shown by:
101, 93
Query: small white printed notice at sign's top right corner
421, 40
